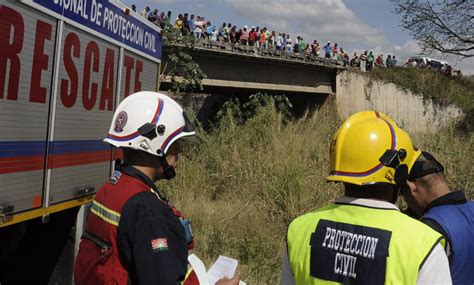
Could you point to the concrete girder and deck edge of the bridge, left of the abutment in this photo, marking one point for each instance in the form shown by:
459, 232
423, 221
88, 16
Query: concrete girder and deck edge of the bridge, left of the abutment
240, 70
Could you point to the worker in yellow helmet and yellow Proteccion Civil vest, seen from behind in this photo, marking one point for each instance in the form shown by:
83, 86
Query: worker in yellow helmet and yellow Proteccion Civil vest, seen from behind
363, 238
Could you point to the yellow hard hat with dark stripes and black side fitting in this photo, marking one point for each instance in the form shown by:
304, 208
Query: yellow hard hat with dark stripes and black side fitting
370, 148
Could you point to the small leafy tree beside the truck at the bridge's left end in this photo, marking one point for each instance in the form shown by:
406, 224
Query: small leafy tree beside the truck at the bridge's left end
183, 73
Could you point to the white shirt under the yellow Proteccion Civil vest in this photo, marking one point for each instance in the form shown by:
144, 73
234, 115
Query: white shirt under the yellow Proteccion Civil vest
435, 270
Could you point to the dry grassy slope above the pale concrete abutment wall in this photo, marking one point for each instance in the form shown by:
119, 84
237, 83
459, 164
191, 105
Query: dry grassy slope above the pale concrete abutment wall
435, 86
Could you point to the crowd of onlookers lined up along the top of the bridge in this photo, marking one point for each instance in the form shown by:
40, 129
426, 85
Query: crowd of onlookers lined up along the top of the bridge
262, 39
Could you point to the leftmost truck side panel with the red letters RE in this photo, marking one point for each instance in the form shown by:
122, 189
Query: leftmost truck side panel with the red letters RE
27, 40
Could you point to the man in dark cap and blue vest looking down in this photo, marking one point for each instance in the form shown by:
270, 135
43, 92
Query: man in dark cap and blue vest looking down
449, 212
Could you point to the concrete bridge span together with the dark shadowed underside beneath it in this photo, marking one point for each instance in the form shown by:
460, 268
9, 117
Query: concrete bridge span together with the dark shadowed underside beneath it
235, 71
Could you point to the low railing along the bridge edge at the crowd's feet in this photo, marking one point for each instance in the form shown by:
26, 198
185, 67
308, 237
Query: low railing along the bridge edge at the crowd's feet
264, 52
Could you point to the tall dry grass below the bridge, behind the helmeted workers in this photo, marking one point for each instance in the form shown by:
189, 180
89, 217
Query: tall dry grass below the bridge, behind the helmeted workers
242, 185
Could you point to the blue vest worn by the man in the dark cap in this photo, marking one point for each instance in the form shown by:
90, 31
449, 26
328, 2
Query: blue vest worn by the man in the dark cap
458, 223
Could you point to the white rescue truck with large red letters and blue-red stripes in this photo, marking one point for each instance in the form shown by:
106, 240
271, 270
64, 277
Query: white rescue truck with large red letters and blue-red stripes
64, 66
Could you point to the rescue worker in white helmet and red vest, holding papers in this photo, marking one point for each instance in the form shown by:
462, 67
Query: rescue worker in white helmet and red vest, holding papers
133, 234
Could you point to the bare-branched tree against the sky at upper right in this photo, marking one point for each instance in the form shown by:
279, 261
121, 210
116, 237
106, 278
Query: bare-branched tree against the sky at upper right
446, 26
